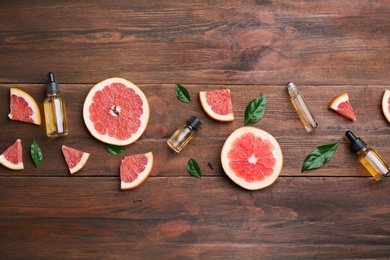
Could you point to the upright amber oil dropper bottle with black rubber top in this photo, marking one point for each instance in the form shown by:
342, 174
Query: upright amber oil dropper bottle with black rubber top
54, 107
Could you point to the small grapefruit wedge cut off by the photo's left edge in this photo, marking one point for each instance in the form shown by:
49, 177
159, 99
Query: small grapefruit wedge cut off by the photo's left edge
12, 158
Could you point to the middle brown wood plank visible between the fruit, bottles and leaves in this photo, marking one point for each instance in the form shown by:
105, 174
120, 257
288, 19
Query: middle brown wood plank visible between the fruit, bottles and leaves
167, 113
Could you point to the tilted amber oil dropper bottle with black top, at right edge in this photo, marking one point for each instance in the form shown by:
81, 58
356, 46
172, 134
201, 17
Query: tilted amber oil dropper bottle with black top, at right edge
370, 159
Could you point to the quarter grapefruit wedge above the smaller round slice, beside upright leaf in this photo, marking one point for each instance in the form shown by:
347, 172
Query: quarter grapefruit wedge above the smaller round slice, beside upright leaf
217, 104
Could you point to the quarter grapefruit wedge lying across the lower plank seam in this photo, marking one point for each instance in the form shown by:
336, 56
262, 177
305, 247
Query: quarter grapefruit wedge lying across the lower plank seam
135, 169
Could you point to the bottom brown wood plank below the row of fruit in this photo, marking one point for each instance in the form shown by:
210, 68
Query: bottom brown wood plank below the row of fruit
186, 217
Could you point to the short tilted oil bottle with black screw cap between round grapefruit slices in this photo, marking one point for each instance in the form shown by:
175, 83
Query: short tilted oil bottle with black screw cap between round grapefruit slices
184, 134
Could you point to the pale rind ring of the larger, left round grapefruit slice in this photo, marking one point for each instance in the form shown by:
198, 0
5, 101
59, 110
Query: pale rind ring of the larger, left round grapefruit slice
107, 138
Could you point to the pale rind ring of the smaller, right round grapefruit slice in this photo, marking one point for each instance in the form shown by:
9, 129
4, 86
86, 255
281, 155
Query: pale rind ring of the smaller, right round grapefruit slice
276, 152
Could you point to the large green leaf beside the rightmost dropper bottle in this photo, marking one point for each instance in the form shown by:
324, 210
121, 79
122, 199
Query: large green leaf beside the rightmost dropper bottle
319, 156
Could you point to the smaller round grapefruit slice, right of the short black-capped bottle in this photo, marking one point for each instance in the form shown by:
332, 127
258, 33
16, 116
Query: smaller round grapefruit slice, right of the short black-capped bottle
252, 158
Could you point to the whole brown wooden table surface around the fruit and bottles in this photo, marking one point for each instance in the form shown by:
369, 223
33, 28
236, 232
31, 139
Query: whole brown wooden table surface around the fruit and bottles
251, 47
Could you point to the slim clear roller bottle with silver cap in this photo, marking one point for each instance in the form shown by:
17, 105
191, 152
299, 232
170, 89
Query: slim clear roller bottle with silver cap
301, 107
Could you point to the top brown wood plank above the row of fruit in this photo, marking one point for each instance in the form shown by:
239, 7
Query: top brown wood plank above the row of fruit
224, 42
